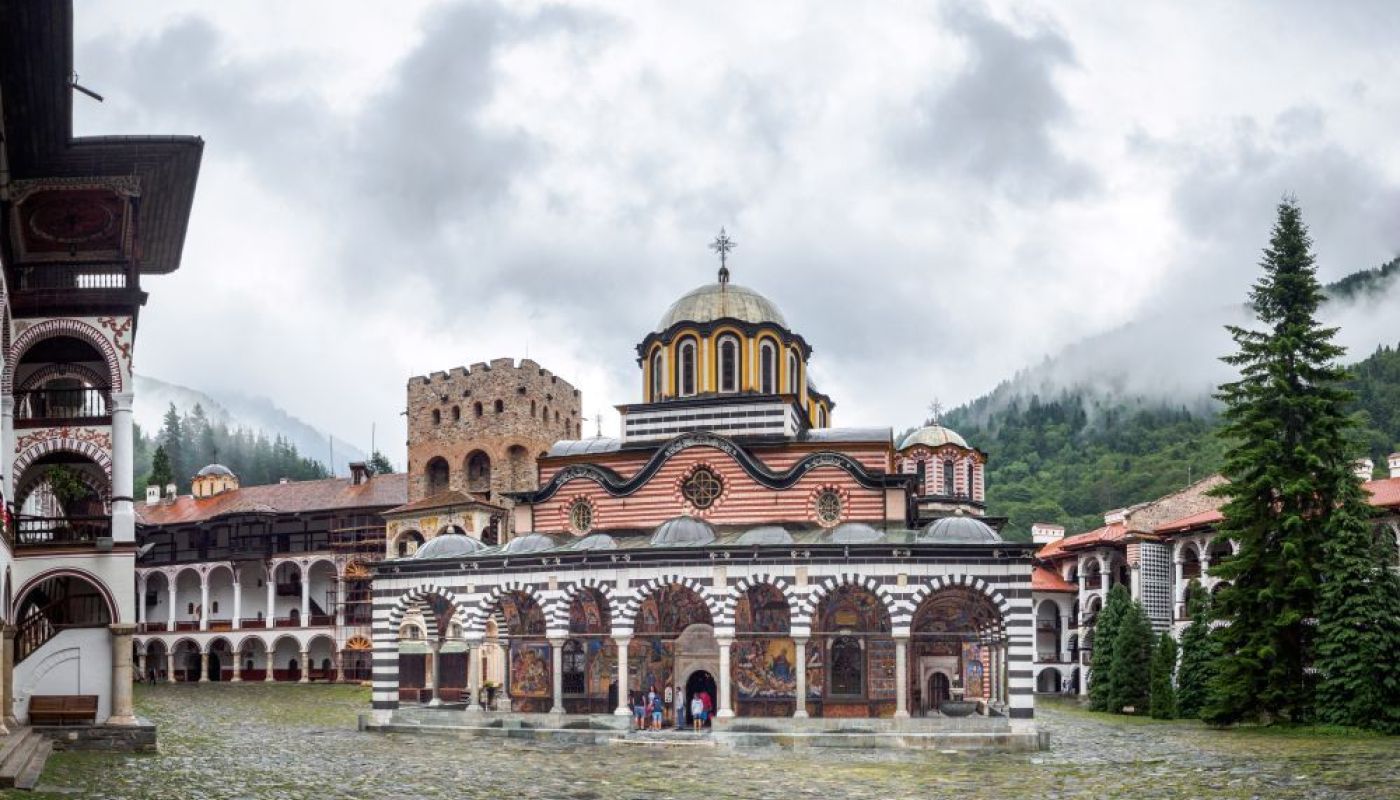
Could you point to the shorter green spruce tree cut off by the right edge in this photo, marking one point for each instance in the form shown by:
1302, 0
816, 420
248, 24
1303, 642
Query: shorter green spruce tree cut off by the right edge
1359, 626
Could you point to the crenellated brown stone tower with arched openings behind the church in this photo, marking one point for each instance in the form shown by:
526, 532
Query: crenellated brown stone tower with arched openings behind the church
481, 431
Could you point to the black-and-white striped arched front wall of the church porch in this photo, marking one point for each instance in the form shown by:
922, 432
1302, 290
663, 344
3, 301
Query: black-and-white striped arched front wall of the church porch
899, 578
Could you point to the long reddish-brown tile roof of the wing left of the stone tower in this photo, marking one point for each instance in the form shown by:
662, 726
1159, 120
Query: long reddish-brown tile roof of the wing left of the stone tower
295, 497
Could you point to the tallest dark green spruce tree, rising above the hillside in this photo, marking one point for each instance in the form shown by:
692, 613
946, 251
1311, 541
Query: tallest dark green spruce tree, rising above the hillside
1289, 464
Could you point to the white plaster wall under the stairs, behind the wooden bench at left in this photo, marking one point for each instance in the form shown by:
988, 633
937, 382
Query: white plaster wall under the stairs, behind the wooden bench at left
73, 663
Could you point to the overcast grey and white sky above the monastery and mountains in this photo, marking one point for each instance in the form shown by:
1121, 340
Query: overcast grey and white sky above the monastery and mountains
936, 195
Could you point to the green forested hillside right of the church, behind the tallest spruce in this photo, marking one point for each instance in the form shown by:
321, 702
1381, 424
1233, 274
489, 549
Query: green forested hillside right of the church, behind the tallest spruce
1069, 459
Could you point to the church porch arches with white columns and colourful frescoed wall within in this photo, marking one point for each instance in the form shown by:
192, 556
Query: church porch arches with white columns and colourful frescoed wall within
846, 651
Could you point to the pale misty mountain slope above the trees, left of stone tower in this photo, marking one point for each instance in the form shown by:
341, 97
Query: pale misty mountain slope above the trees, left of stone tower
241, 411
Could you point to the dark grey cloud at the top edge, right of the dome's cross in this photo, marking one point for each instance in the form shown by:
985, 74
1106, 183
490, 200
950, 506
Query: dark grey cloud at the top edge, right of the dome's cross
995, 121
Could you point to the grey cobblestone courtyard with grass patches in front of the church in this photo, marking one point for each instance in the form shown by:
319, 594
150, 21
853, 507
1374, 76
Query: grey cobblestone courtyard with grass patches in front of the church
293, 742
